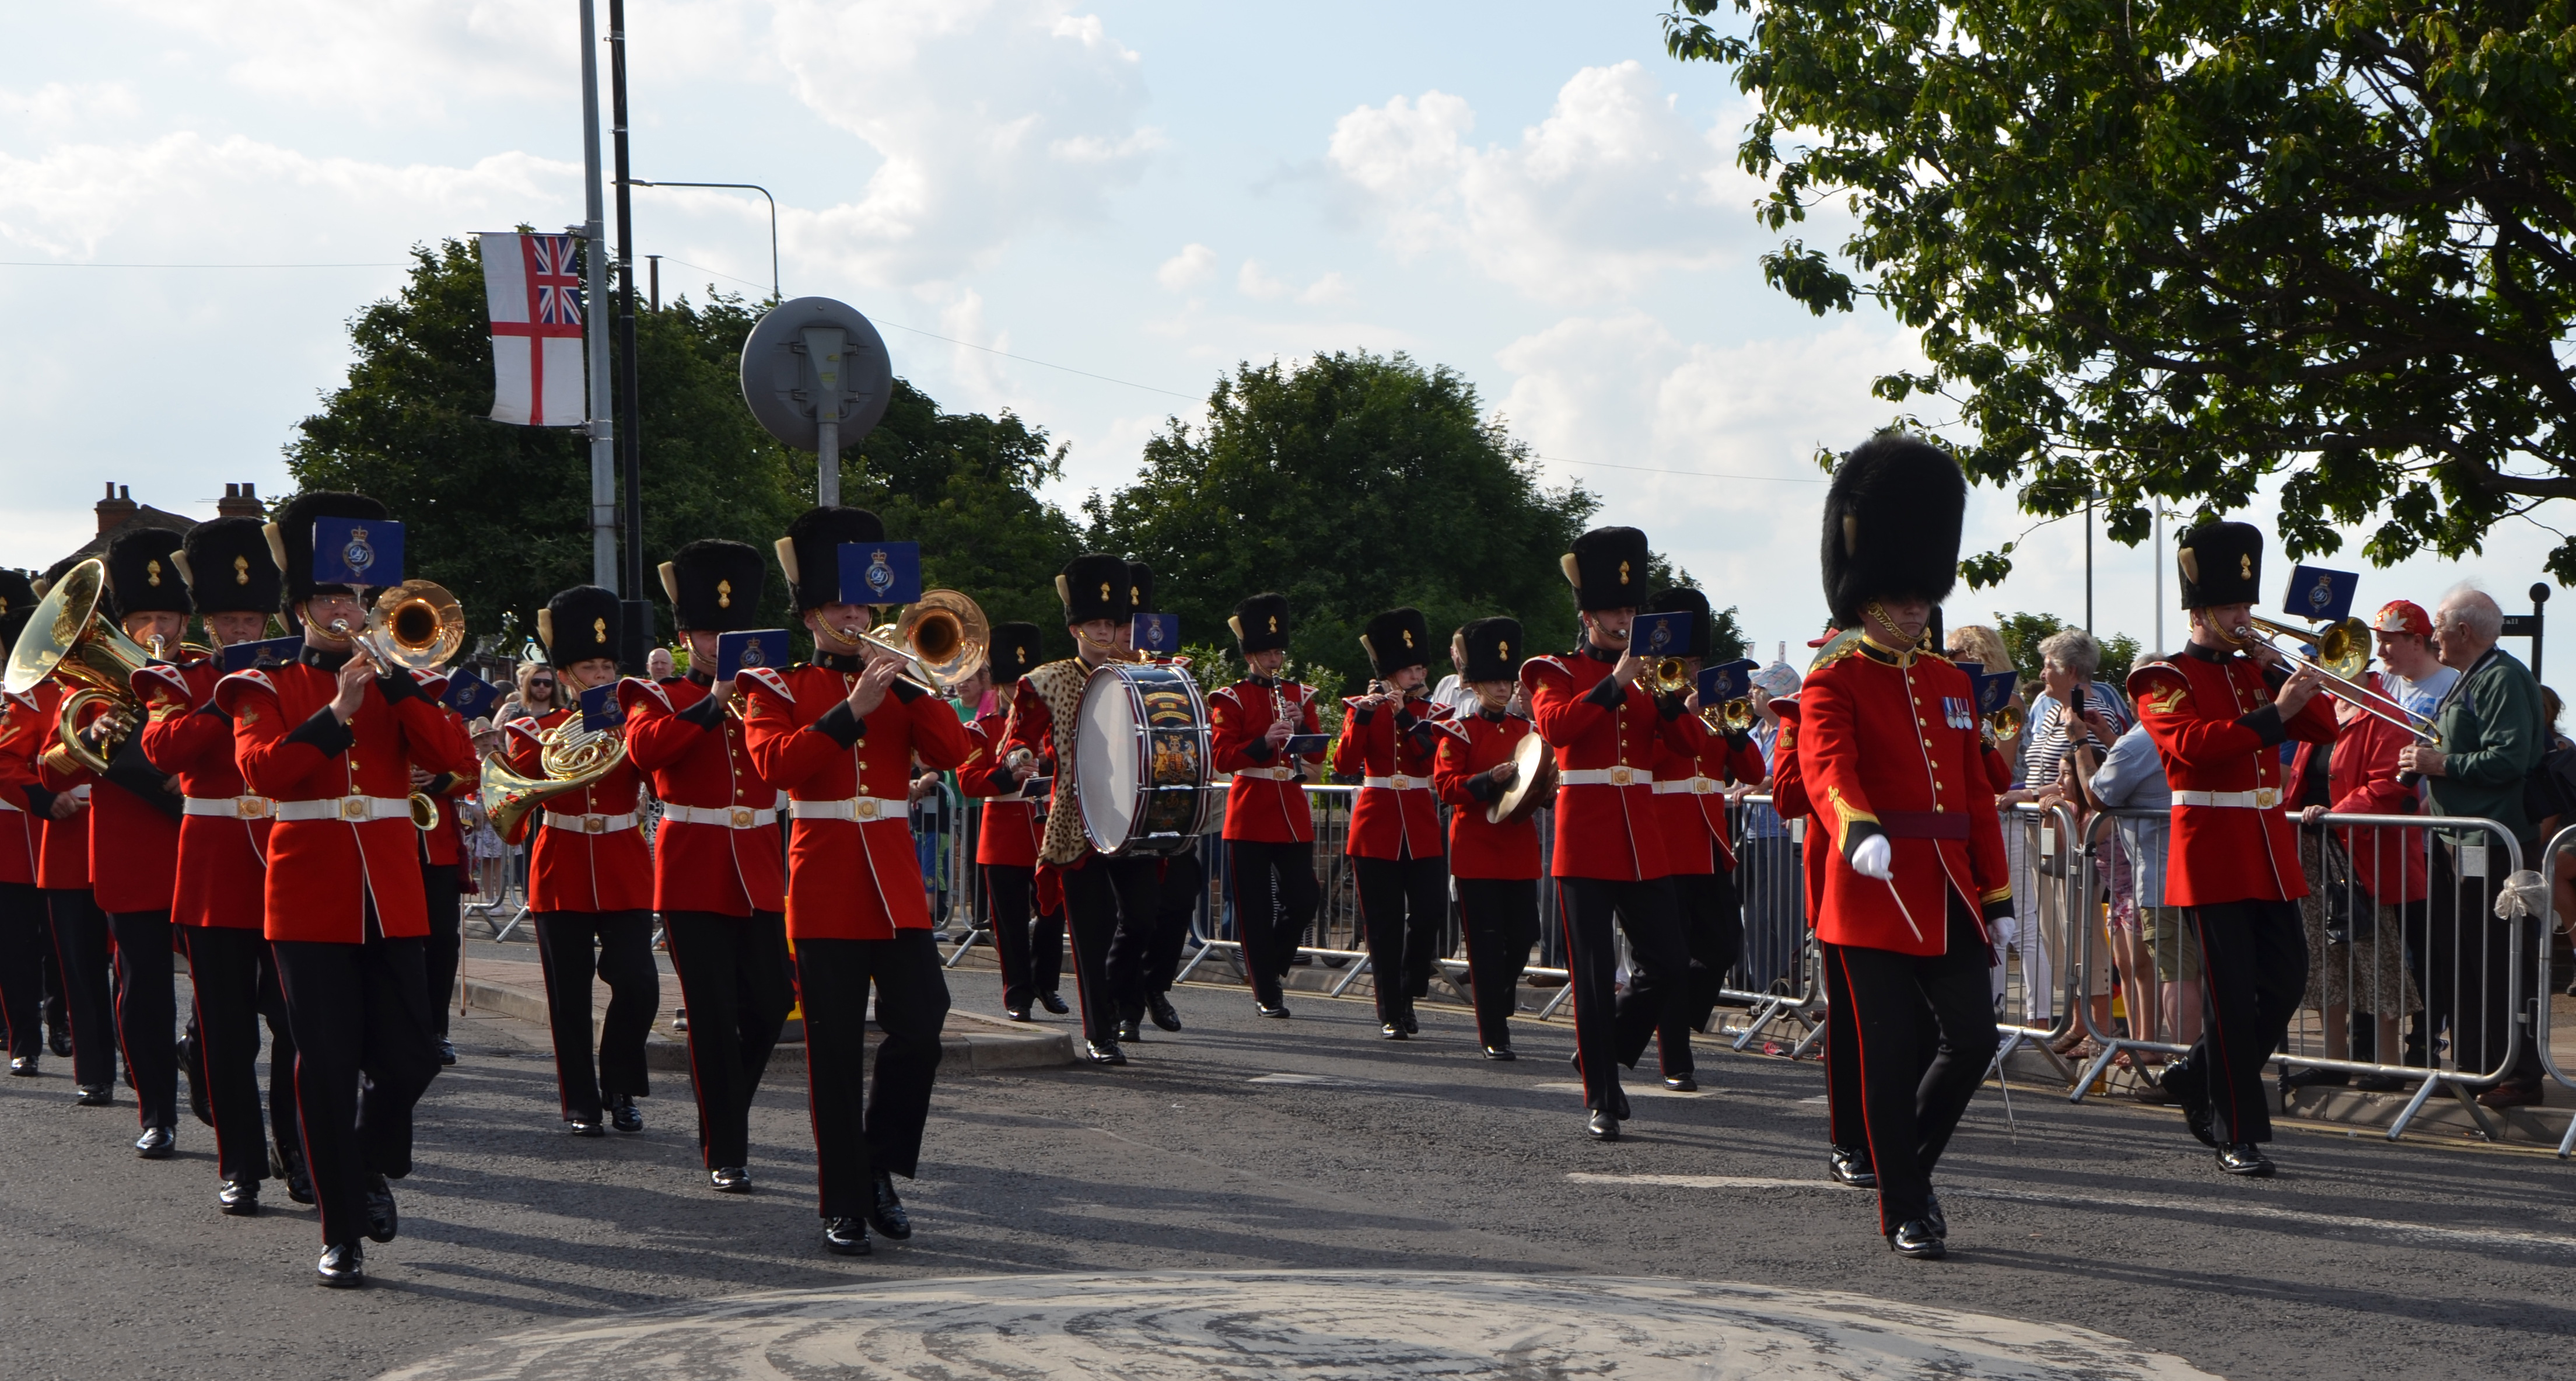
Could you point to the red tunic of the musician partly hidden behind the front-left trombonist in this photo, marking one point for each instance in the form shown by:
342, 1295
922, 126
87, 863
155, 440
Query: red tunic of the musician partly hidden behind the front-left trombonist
223, 841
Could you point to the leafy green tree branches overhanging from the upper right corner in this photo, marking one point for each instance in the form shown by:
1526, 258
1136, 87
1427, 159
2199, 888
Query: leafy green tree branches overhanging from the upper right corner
2178, 249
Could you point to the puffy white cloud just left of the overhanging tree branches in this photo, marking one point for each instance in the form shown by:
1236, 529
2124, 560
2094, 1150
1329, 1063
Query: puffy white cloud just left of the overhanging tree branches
1593, 205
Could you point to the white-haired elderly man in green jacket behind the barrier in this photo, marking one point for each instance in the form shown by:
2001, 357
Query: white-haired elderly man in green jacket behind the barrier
2492, 738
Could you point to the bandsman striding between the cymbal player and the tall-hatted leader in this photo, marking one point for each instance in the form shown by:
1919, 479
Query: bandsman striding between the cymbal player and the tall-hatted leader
1609, 862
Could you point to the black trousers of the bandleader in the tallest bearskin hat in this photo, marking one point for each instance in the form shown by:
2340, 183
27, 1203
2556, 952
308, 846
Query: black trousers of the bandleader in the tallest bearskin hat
1913, 1104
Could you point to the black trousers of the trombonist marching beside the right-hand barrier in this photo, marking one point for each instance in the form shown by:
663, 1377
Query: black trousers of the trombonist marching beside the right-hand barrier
2255, 970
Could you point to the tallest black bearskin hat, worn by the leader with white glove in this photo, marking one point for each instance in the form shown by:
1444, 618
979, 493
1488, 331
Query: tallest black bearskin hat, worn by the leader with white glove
1892, 524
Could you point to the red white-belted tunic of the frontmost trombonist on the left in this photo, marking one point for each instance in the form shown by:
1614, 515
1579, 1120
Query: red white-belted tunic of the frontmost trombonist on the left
292, 751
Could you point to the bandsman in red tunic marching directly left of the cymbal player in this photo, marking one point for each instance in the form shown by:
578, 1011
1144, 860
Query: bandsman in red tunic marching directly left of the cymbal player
1395, 821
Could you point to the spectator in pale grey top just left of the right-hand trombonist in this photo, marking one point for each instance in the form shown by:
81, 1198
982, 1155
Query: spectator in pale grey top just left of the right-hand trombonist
2147, 934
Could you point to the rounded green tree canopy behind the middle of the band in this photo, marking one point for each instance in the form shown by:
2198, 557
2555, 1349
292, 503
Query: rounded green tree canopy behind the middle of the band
1351, 483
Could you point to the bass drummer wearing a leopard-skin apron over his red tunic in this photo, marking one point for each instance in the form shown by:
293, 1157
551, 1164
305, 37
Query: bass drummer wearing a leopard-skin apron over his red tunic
1045, 720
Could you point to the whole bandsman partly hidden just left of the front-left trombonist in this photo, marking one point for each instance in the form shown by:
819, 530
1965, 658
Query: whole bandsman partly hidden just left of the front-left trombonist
223, 872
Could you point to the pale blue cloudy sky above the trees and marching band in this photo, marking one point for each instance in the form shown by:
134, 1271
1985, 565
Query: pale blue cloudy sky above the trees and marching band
1145, 192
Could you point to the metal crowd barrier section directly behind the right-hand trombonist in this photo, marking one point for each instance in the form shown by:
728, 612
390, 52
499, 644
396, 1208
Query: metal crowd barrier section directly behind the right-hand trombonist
2412, 978
